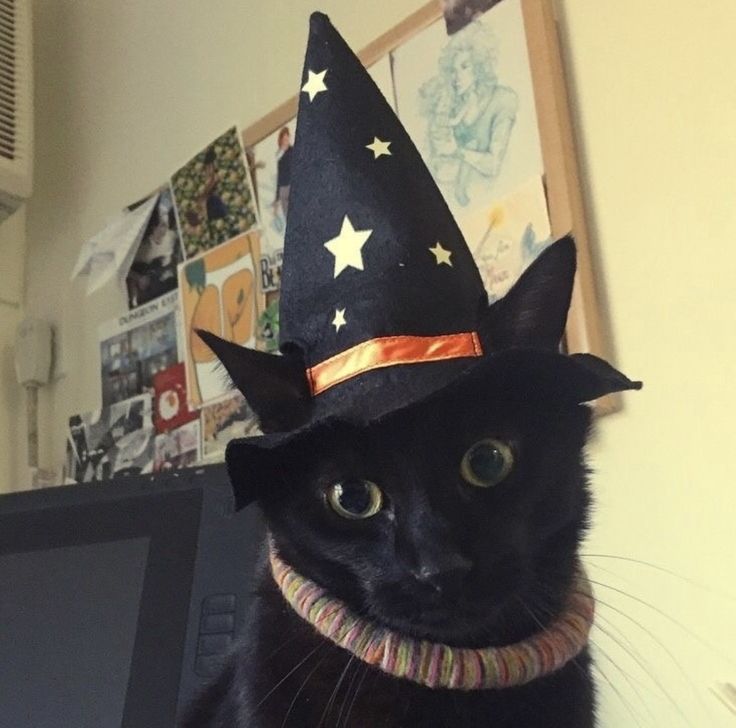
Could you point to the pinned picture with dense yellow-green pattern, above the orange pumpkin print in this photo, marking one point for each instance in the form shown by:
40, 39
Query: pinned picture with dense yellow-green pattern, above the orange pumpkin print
213, 195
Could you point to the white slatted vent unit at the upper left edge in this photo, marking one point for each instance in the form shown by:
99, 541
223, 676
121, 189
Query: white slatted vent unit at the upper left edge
16, 105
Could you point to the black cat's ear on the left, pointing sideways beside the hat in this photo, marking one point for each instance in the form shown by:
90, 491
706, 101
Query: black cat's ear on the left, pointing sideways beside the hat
275, 387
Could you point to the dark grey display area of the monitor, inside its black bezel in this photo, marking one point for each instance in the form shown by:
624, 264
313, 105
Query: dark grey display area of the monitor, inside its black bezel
76, 637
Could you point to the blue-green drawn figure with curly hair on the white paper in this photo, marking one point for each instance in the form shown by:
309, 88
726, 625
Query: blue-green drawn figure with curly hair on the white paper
470, 114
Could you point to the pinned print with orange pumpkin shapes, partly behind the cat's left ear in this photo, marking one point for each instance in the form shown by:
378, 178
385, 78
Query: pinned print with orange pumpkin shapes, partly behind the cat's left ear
219, 293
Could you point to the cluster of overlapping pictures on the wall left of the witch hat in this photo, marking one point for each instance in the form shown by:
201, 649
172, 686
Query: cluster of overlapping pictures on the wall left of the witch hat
190, 257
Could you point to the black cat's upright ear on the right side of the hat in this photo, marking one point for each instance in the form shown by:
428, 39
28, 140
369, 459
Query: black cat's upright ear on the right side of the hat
534, 311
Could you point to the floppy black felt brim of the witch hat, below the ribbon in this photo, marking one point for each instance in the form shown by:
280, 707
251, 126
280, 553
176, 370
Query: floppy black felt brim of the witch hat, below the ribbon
532, 374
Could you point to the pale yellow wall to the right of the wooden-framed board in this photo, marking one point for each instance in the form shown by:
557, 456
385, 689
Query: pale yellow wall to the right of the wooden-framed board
656, 106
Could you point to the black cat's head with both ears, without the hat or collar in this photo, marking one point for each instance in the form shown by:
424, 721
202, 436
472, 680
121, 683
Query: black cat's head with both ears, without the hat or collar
456, 518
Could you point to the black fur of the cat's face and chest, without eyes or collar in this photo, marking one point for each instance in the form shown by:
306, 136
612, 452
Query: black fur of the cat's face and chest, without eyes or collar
504, 558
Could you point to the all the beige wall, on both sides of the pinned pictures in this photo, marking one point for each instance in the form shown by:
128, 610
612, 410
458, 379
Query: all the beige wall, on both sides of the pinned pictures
127, 90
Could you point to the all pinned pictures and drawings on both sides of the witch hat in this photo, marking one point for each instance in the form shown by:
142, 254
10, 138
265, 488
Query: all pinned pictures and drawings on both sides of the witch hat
205, 250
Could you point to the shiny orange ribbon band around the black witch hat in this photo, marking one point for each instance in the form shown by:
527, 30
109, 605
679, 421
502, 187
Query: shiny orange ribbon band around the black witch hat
387, 351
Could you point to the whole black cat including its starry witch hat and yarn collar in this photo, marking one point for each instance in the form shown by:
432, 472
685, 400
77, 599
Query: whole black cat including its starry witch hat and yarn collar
421, 472
